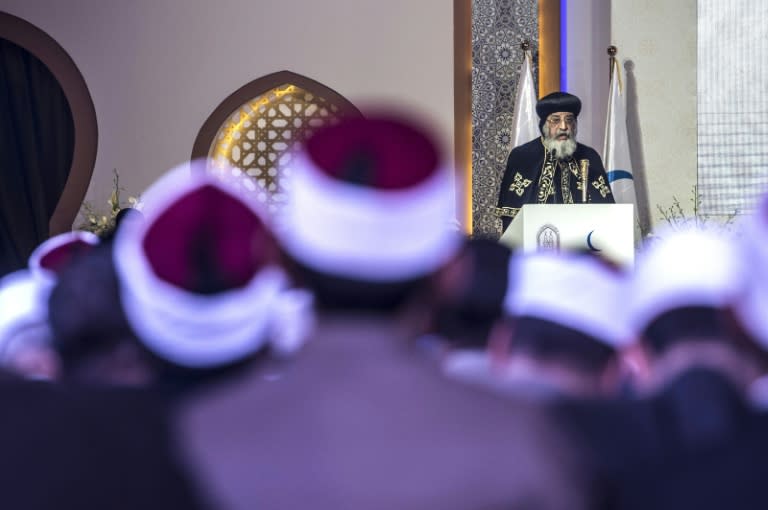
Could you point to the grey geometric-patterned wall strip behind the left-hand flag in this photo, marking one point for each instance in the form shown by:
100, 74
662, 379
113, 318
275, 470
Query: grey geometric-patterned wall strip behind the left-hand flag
498, 29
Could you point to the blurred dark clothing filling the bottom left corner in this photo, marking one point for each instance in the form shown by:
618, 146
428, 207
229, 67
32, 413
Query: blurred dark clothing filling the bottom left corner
86, 445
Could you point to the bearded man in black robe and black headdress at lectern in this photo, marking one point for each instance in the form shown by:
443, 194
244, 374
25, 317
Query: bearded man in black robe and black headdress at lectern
550, 169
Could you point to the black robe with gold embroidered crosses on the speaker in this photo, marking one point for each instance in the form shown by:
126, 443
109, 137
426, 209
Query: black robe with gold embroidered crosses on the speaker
534, 177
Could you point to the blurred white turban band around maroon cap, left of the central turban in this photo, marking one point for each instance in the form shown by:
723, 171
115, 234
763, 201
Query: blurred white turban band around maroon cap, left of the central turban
182, 327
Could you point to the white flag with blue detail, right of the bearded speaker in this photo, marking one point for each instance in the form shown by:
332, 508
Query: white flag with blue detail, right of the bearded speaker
618, 166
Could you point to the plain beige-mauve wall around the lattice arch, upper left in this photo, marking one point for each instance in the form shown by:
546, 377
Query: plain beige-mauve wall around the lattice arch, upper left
157, 68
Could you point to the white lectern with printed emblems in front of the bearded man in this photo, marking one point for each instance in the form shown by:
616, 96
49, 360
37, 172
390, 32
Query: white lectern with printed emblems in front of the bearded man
604, 228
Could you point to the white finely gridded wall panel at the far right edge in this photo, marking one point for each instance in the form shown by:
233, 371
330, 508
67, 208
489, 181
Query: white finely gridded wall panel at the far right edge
732, 111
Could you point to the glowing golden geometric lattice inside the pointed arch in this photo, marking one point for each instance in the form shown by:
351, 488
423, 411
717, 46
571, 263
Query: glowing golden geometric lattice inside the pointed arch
259, 139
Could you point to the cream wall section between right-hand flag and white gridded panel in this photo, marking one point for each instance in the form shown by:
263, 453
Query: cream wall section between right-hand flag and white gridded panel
659, 38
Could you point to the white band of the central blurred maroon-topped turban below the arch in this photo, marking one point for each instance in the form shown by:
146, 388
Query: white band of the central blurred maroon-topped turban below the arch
361, 232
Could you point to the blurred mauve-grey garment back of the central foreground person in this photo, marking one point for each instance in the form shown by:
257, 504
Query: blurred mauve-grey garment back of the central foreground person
387, 431
